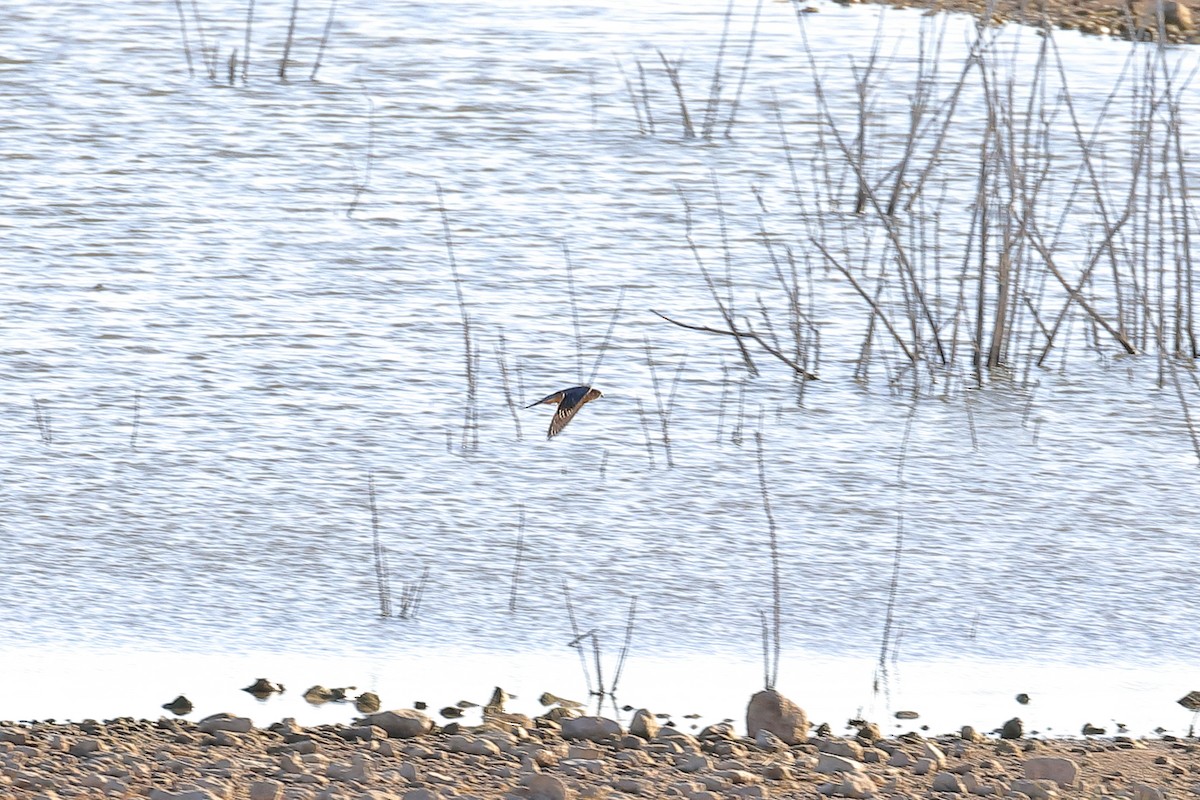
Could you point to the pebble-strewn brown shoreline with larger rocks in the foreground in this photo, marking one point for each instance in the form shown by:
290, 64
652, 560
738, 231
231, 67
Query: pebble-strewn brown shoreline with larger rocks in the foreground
565, 755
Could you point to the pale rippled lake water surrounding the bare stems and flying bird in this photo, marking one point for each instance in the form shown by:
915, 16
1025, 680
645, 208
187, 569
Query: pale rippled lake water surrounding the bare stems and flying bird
226, 306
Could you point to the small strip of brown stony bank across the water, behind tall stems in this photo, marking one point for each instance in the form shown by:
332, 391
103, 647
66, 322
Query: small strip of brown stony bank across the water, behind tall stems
1137, 21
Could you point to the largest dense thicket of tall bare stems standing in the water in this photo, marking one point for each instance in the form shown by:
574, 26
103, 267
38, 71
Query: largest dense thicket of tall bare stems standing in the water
1077, 238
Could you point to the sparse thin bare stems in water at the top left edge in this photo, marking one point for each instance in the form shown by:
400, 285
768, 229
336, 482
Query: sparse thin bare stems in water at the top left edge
237, 67
